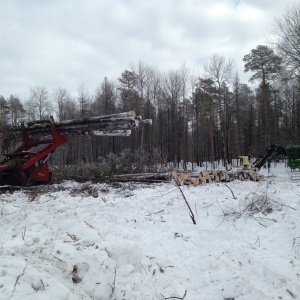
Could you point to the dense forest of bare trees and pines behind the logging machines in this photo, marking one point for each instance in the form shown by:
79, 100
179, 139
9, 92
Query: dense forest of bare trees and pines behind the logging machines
195, 118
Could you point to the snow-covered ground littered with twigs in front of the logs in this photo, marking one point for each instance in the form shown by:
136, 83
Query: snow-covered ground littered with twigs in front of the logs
137, 241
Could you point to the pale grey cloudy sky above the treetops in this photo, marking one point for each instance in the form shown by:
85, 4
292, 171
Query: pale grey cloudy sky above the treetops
72, 42
